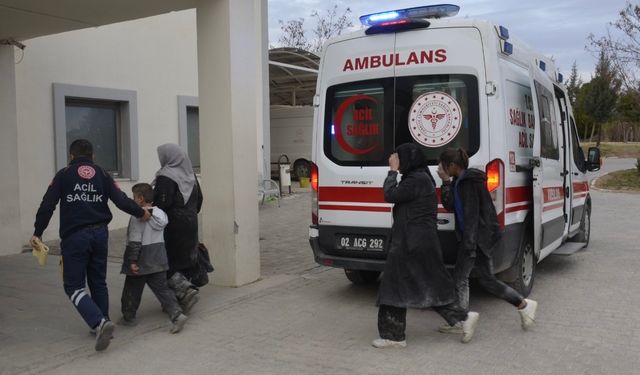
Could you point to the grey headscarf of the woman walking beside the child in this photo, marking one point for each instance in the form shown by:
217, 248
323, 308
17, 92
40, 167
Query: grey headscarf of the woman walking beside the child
175, 164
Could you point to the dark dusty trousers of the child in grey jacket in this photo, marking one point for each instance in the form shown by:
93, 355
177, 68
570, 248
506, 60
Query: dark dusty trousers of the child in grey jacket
157, 282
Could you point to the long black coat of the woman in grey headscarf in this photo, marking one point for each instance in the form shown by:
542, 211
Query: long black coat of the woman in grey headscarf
181, 234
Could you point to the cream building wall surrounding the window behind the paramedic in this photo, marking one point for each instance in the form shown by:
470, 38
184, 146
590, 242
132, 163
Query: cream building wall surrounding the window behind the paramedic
156, 57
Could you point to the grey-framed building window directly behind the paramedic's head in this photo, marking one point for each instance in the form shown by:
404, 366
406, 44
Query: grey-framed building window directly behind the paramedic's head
105, 117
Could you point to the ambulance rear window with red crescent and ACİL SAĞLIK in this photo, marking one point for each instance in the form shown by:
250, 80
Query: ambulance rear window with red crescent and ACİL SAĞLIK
358, 118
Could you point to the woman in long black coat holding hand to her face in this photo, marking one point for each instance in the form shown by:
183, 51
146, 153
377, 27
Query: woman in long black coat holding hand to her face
414, 273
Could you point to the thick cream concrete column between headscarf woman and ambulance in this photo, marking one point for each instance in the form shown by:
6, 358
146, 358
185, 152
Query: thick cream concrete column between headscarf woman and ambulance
229, 78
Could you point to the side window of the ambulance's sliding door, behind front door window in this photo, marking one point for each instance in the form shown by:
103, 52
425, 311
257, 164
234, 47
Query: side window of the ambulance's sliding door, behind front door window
549, 126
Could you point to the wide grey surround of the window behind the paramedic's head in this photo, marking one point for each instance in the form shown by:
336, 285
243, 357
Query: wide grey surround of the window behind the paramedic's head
128, 128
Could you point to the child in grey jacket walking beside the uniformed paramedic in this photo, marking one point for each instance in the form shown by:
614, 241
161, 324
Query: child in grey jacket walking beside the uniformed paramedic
145, 262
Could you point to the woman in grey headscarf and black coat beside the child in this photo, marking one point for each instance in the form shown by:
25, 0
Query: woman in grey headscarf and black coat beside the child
177, 192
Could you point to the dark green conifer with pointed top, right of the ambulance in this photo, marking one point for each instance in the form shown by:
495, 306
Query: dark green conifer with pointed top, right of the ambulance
603, 93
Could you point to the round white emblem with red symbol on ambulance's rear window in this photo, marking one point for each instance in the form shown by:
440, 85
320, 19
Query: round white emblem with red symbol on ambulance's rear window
435, 119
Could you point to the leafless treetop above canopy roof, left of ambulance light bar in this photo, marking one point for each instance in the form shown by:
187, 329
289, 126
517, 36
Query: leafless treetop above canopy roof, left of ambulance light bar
327, 25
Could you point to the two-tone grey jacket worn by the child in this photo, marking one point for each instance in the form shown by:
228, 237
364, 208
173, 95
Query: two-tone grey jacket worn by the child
145, 244
